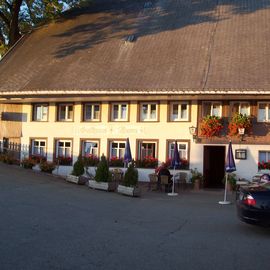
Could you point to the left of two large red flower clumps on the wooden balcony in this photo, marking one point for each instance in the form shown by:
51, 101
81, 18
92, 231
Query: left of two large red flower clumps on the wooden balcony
211, 126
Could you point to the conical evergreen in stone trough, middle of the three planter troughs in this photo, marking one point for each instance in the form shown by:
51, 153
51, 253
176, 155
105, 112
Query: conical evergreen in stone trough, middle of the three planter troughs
103, 177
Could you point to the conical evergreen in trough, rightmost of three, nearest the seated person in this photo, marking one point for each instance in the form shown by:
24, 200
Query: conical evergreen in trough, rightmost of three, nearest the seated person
130, 183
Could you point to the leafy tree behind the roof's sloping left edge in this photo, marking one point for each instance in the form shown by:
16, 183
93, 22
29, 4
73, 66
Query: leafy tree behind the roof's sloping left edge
19, 16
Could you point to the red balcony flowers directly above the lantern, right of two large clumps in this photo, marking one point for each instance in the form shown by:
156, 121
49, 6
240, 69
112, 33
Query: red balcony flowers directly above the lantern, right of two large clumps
239, 121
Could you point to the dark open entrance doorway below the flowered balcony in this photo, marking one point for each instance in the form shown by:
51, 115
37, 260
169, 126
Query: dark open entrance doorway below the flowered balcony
213, 166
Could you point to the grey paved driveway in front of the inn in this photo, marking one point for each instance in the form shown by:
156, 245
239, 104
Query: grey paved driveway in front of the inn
46, 223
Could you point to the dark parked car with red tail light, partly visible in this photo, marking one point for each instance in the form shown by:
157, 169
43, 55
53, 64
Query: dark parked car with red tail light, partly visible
253, 203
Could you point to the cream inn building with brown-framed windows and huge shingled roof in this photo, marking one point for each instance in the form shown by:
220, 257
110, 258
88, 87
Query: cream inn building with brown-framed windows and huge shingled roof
146, 70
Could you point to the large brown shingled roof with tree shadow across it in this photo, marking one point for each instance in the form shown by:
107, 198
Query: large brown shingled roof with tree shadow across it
181, 46
